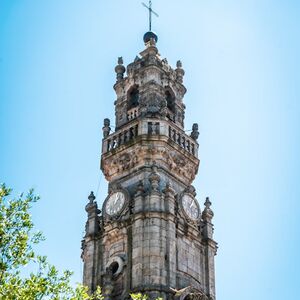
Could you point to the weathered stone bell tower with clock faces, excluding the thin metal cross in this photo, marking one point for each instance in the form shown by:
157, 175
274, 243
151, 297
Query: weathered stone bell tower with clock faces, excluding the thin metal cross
151, 236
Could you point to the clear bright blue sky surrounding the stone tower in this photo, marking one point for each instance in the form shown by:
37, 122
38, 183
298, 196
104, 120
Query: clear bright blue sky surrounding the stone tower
242, 64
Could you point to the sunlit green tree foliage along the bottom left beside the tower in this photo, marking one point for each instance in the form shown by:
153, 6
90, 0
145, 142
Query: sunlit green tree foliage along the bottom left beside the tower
17, 241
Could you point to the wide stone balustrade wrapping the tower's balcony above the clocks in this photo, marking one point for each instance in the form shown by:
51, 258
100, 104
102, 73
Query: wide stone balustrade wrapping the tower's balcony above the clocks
150, 127
